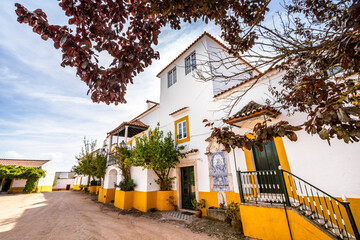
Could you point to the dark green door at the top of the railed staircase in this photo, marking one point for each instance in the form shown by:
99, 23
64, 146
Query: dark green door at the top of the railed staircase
267, 160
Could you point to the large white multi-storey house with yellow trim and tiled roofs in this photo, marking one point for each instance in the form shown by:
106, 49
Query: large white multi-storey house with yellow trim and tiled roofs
208, 172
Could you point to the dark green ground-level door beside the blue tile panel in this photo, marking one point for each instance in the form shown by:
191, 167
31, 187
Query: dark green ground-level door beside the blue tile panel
187, 187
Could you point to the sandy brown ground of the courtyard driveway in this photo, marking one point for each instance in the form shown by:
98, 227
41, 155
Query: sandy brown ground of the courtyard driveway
72, 215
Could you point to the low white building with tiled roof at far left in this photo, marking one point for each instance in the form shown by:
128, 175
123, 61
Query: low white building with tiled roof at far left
44, 184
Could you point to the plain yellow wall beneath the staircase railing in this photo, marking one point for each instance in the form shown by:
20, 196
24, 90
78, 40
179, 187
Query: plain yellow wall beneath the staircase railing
270, 223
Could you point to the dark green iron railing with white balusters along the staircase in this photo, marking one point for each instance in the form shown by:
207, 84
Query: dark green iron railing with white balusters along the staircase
283, 187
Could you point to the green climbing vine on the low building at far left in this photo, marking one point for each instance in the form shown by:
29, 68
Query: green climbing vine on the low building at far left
29, 173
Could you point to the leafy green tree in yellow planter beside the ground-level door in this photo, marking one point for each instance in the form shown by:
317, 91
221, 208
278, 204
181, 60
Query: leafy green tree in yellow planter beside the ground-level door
159, 153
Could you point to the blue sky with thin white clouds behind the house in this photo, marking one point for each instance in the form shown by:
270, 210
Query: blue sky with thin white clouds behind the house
44, 110
